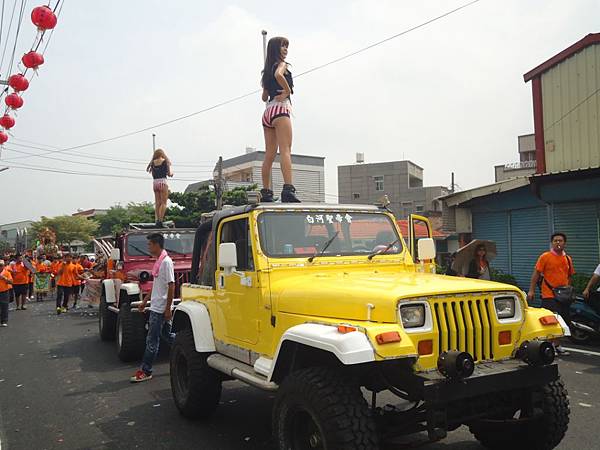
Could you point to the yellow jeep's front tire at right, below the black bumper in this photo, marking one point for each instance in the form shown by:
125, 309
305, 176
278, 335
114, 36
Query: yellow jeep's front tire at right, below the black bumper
543, 434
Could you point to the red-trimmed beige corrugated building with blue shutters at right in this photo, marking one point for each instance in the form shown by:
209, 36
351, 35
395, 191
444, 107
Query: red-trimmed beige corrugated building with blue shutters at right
520, 214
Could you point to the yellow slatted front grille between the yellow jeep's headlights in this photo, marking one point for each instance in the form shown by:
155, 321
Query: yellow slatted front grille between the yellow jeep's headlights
465, 325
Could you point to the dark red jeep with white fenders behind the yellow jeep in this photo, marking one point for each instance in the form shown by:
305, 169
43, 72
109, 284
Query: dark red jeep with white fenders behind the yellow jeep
129, 277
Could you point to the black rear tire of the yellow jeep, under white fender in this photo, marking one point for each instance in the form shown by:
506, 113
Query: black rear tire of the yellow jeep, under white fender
195, 386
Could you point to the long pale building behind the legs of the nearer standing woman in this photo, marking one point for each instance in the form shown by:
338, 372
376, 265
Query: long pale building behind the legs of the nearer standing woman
308, 173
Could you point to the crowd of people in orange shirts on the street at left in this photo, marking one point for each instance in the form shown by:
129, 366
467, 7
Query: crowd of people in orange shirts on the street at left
27, 278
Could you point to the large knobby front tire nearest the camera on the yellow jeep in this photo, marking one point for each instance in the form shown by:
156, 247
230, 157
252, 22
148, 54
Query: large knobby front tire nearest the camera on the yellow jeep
322, 408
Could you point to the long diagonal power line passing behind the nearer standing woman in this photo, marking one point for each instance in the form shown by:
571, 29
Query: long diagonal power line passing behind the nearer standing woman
256, 91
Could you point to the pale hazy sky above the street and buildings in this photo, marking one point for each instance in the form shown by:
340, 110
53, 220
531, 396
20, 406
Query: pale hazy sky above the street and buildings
450, 96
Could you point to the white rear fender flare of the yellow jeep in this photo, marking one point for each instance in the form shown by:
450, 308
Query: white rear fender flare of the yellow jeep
196, 314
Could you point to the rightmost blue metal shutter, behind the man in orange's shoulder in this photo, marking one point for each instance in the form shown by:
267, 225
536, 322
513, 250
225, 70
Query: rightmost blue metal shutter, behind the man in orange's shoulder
579, 221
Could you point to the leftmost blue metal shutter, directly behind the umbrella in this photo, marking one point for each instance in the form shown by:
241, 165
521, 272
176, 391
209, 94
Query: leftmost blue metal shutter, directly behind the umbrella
494, 227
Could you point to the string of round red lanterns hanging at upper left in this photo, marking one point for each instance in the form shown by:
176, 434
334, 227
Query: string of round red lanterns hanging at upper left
44, 19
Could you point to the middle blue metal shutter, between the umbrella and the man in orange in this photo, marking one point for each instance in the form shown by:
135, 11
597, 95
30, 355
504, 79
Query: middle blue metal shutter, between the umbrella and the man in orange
529, 239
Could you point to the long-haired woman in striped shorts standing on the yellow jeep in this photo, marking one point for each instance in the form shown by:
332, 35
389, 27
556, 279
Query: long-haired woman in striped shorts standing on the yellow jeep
278, 85
